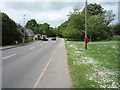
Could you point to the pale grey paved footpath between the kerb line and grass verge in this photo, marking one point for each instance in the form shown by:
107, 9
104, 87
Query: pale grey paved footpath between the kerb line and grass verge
56, 74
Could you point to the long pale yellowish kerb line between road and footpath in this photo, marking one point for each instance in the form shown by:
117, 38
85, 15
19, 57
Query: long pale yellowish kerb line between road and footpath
41, 75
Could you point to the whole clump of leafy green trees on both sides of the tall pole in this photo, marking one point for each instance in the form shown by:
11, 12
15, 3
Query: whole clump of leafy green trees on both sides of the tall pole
98, 23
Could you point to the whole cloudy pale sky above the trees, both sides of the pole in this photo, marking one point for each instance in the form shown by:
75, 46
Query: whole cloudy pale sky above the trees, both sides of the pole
49, 11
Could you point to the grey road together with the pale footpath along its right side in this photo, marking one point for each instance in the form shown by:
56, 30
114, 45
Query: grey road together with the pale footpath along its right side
42, 64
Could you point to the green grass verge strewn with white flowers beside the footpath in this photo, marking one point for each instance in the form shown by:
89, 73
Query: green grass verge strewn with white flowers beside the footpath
96, 67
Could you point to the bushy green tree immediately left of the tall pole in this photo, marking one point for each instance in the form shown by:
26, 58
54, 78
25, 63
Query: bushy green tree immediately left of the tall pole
75, 26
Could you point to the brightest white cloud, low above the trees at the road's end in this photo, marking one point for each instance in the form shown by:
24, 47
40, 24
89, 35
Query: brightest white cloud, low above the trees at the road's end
52, 17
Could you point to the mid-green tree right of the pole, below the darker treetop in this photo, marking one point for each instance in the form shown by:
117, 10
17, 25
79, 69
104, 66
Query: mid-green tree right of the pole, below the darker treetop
97, 28
